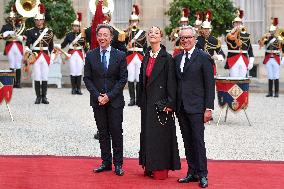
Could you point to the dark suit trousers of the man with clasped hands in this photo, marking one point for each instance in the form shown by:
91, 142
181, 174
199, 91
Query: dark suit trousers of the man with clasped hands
109, 124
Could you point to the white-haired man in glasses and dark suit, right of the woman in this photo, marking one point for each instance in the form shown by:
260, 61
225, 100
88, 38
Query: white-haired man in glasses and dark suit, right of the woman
195, 103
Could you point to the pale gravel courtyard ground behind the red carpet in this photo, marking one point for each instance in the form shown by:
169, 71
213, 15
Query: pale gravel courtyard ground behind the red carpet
66, 127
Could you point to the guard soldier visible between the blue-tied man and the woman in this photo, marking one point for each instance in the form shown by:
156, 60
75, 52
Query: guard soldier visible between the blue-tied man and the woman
136, 46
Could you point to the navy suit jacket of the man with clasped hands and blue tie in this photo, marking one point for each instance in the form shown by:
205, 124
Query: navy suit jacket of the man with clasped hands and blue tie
111, 82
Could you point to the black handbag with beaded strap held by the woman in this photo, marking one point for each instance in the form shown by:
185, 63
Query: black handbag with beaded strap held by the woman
160, 106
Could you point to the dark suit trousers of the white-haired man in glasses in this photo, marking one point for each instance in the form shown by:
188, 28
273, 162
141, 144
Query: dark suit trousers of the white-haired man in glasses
192, 129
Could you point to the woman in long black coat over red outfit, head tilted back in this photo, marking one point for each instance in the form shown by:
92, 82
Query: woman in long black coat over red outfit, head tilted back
158, 142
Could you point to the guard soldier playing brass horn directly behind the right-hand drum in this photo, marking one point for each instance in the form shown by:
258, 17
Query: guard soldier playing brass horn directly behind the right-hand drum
240, 54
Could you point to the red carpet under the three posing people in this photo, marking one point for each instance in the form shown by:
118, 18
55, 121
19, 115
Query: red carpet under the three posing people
49, 172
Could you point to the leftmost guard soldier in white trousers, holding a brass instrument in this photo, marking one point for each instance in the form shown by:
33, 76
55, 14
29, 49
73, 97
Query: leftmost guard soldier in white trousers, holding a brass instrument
13, 47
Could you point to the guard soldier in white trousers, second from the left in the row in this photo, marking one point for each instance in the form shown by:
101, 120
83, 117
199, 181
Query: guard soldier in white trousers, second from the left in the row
40, 43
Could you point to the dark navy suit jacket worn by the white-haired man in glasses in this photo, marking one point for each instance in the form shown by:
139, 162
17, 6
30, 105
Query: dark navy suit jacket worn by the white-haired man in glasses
196, 86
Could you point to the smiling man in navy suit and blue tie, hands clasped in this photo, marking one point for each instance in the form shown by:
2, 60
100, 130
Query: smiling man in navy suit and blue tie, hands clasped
105, 75
